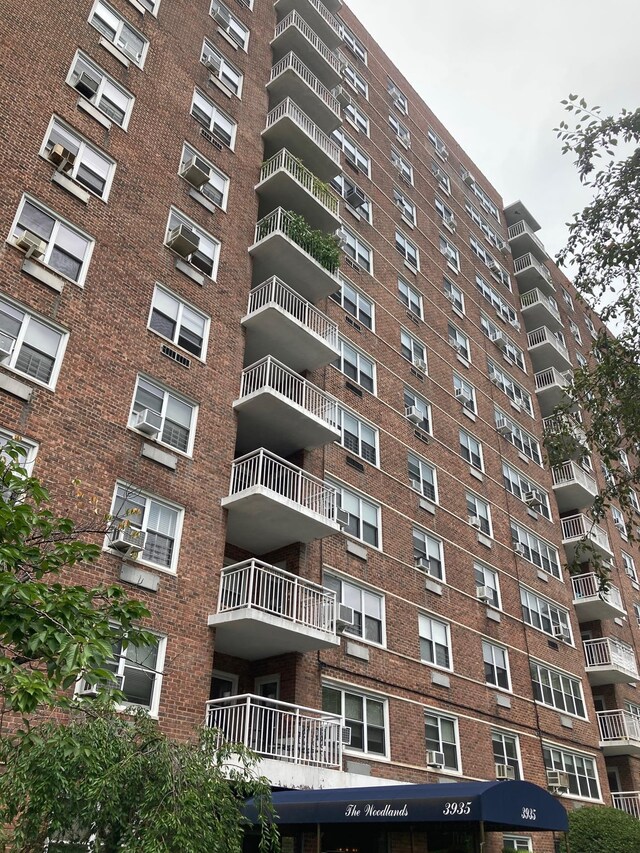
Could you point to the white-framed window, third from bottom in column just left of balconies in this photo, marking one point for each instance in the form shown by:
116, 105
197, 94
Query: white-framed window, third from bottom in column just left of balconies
177, 415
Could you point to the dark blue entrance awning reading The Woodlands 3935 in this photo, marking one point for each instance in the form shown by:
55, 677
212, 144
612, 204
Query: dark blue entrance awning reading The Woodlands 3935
500, 805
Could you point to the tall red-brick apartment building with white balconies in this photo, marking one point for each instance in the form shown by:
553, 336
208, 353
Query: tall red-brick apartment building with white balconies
329, 448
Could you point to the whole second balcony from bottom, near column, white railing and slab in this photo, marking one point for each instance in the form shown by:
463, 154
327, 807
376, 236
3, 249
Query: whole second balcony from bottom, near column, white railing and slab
264, 611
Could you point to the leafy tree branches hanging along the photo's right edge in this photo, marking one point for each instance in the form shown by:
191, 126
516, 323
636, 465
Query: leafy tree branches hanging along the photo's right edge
603, 254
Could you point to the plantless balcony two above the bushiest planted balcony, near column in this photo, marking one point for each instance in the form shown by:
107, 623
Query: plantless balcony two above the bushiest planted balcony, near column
288, 127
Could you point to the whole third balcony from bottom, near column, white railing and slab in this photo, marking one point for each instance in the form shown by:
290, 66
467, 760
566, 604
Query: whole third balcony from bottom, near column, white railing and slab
273, 503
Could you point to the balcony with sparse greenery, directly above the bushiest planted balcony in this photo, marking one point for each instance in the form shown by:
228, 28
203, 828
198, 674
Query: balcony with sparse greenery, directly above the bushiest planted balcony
285, 182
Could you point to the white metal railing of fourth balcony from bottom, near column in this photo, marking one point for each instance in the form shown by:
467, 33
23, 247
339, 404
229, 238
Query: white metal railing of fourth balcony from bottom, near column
270, 374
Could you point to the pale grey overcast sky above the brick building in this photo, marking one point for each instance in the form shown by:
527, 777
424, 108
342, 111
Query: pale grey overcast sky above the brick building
494, 72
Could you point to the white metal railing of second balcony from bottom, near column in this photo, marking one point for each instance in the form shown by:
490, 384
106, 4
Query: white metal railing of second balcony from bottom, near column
260, 586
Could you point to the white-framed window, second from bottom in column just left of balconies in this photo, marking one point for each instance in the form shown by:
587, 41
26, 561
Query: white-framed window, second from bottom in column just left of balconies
159, 520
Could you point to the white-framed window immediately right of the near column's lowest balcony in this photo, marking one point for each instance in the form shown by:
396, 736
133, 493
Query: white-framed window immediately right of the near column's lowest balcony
365, 716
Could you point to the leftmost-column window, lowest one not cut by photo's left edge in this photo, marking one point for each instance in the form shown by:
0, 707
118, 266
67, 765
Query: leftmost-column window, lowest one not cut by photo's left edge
67, 250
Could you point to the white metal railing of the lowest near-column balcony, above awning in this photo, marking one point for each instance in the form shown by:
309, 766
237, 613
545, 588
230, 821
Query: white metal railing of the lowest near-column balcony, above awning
278, 730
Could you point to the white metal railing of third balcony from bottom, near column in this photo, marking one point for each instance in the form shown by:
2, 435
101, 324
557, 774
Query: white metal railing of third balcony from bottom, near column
263, 468
